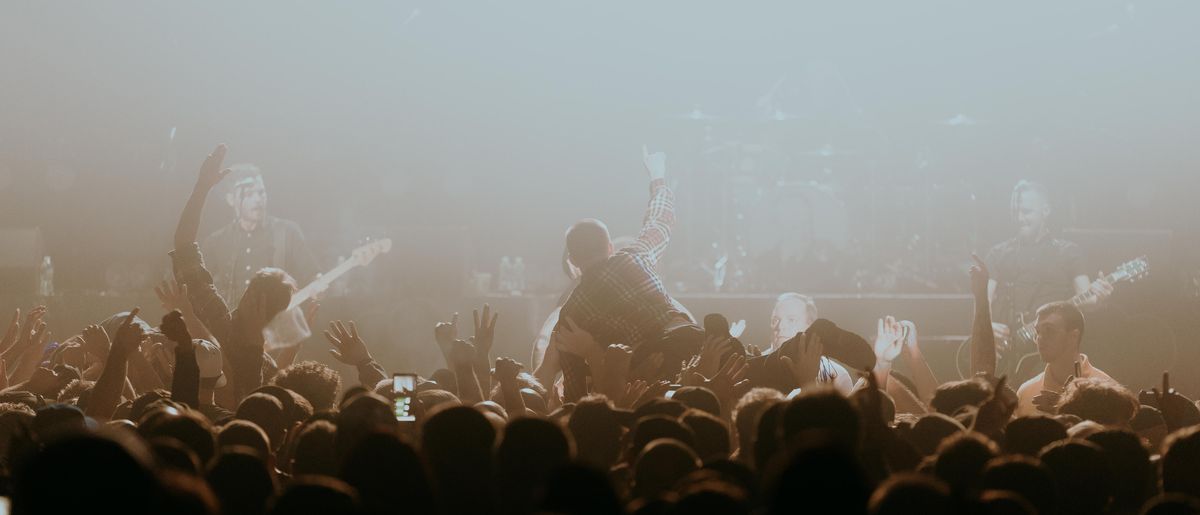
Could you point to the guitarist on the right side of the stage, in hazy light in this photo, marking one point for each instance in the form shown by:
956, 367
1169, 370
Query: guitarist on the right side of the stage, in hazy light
1035, 268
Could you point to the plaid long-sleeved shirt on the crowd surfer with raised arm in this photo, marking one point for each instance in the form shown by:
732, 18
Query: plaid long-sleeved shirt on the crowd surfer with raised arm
623, 301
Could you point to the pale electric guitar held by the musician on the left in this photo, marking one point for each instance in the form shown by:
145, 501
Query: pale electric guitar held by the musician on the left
290, 328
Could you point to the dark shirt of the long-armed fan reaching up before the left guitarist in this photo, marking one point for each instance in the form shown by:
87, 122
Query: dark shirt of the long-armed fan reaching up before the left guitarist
244, 350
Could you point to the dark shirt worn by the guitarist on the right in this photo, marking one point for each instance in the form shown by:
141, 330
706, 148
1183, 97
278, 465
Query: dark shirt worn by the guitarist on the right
1033, 274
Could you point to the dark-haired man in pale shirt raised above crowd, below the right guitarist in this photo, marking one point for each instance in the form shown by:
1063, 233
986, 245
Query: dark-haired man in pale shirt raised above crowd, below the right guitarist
1060, 331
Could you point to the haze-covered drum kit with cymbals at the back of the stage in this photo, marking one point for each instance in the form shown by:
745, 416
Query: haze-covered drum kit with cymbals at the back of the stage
788, 202
